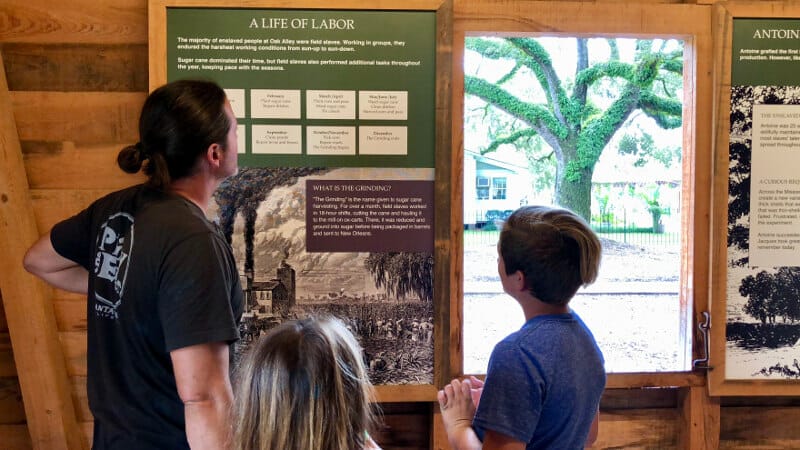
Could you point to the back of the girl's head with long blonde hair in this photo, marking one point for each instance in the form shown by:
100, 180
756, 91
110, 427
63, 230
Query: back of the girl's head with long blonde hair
303, 386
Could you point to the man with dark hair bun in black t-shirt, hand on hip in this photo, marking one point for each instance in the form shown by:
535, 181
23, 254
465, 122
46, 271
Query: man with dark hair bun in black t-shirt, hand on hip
163, 293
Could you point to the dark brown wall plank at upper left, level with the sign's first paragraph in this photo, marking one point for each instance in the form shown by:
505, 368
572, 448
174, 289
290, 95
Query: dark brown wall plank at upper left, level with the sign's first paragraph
76, 67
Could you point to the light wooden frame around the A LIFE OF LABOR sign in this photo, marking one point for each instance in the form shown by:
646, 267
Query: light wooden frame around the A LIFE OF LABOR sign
157, 22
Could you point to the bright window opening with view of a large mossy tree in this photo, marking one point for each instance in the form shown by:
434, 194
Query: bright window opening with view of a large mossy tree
631, 179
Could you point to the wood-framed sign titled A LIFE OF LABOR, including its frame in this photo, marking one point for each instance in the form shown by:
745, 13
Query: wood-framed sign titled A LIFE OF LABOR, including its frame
333, 206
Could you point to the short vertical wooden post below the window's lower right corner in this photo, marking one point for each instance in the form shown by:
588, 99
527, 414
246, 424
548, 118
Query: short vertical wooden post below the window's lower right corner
700, 419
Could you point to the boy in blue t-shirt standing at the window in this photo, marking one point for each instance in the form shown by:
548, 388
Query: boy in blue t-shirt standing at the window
544, 381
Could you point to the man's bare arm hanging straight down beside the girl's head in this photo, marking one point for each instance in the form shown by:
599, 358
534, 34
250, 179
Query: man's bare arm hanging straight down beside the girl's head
204, 386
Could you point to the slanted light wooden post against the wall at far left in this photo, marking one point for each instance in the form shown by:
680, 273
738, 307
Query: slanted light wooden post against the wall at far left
31, 321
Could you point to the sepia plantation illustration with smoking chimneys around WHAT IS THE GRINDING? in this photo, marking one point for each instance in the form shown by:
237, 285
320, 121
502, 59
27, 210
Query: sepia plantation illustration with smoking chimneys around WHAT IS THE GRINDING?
385, 298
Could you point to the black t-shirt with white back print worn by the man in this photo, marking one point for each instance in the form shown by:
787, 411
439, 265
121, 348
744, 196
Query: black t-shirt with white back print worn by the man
161, 277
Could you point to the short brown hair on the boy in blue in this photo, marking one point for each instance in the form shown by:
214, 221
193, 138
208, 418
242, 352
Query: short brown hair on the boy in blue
554, 249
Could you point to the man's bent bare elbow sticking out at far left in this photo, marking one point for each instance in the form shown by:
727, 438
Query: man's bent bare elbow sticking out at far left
43, 261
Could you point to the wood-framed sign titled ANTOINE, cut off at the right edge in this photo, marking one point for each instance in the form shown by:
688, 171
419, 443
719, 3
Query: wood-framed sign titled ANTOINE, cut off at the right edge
760, 156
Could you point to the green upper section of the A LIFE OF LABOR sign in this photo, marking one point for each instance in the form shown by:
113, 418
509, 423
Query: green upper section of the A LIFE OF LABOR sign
313, 88
